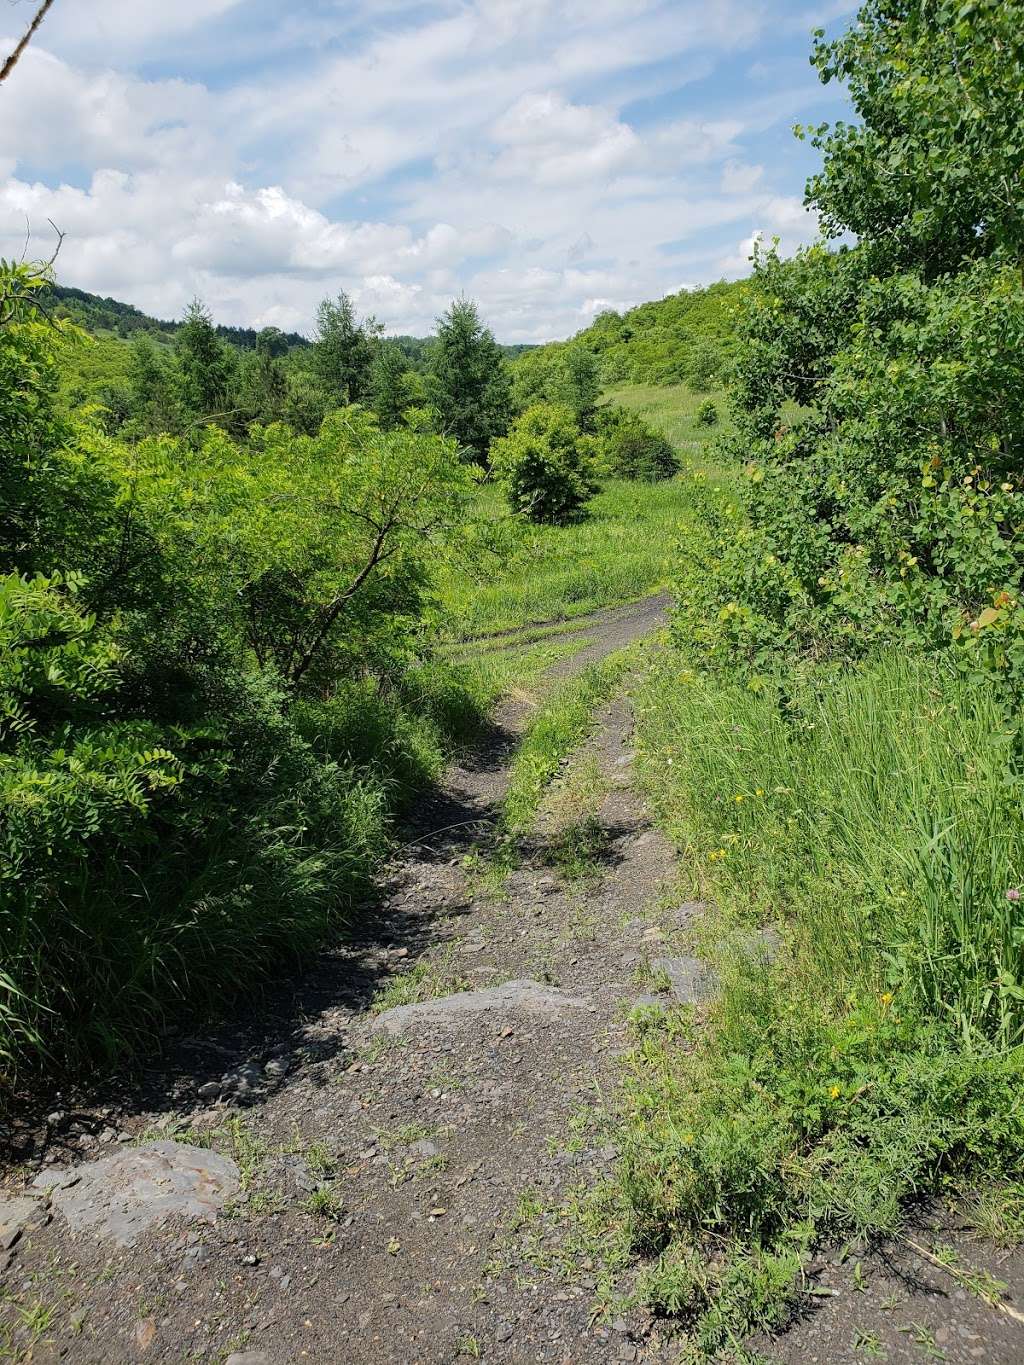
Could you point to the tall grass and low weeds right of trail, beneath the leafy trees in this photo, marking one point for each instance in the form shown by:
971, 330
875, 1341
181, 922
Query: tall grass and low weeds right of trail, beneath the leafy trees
880, 1057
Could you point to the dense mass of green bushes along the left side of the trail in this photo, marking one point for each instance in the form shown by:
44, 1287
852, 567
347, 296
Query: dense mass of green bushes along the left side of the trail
212, 687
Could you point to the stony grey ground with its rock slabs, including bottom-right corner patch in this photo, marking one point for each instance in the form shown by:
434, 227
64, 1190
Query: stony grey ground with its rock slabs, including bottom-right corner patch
368, 1172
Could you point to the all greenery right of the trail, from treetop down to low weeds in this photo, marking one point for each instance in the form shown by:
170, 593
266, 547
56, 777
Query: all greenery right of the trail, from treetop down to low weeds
836, 743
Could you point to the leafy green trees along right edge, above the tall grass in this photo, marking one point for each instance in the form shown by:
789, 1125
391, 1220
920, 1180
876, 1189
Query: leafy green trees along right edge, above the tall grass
891, 510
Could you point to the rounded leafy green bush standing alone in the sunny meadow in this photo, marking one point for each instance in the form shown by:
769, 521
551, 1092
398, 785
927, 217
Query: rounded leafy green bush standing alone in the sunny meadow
547, 466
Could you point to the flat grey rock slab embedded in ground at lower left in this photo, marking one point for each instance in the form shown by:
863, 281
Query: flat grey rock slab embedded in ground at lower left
126, 1194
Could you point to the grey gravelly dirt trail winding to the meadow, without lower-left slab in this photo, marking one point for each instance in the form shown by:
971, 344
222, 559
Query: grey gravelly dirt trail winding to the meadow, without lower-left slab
387, 1169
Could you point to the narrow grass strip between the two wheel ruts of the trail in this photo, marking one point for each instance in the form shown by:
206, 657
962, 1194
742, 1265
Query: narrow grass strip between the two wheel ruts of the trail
560, 725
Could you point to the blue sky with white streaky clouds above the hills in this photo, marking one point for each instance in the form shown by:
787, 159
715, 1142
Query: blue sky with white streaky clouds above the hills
548, 158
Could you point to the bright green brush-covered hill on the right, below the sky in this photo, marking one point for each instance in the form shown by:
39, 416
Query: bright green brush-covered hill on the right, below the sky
686, 336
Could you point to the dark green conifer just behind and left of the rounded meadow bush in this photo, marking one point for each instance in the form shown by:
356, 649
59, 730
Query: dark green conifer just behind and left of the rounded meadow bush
469, 380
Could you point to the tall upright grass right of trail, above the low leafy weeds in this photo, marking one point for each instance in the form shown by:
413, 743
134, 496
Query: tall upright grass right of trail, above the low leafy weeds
873, 811
